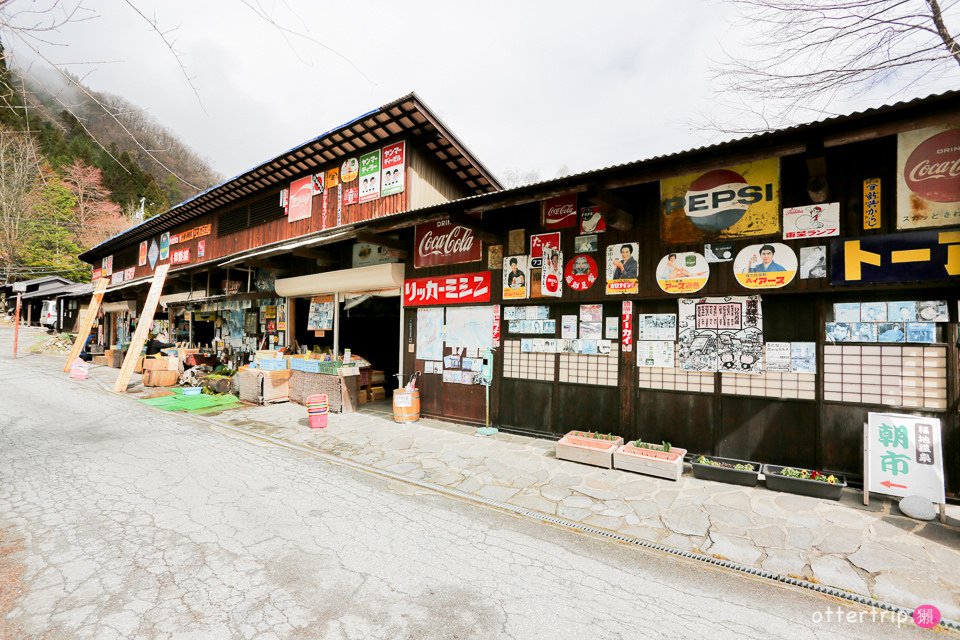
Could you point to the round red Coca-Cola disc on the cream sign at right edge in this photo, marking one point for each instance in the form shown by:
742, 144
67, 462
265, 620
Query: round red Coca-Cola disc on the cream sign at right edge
932, 170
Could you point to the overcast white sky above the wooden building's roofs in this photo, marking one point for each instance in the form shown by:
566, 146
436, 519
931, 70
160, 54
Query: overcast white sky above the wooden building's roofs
544, 87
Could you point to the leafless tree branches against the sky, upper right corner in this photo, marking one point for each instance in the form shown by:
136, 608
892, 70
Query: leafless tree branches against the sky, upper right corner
812, 52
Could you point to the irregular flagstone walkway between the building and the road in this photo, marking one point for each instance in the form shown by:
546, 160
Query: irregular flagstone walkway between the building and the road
873, 551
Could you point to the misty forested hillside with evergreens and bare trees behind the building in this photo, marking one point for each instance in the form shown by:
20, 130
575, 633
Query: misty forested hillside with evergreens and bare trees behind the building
72, 176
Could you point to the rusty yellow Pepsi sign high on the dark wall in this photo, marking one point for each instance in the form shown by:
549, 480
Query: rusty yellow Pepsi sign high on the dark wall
738, 201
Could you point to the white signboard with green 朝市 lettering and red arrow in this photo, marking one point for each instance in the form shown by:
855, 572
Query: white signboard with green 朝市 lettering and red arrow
903, 456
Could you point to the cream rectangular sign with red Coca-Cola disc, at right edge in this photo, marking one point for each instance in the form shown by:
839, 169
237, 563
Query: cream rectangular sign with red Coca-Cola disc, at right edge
928, 183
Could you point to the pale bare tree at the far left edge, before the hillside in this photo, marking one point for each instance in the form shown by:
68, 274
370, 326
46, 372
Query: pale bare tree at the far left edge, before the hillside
19, 170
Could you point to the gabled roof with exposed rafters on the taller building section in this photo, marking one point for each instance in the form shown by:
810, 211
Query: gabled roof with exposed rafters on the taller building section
407, 117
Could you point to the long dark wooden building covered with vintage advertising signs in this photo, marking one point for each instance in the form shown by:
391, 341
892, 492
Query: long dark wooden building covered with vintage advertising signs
770, 240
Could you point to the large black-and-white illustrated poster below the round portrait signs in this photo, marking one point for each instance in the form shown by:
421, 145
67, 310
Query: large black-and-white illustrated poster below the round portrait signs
721, 334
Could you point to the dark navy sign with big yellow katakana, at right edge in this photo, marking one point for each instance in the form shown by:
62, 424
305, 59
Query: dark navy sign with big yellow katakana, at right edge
916, 256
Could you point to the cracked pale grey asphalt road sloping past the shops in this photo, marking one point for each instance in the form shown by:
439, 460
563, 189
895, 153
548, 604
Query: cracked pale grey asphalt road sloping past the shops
119, 522
